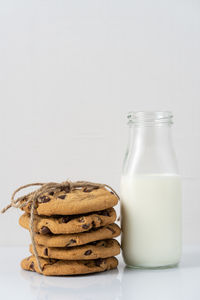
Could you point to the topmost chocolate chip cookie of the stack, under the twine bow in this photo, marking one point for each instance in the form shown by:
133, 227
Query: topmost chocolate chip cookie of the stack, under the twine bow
78, 201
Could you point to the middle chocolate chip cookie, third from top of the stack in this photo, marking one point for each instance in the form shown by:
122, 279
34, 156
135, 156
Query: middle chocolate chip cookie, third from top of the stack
77, 239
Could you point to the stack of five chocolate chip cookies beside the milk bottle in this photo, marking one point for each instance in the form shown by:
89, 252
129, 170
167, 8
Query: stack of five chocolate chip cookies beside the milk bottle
74, 231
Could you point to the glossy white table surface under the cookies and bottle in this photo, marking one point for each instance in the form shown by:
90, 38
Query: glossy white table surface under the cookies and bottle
178, 283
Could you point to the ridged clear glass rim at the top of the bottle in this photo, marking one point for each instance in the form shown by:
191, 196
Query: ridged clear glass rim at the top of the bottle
150, 118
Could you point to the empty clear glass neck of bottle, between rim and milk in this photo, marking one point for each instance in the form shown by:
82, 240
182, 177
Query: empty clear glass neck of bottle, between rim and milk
150, 150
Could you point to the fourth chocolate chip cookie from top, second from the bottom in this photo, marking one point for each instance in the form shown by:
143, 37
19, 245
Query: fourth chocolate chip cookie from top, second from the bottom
98, 249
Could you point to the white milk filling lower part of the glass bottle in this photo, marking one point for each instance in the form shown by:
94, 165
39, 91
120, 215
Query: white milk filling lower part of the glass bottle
151, 220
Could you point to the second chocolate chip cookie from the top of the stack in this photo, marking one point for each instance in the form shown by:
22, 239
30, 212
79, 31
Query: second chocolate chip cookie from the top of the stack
69, 224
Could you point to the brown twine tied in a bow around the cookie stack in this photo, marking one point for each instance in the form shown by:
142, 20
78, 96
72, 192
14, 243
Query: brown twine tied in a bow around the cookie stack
33, 197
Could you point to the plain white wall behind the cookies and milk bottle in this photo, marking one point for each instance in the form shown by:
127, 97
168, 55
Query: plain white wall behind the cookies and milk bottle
69, 73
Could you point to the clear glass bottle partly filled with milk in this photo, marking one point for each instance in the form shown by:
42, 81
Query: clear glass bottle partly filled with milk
150, 193
